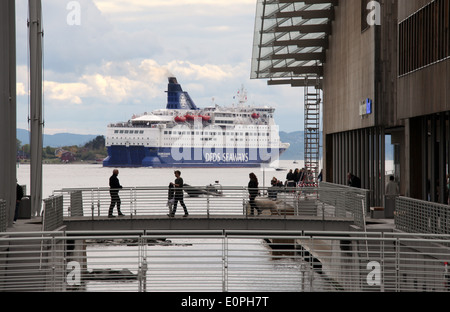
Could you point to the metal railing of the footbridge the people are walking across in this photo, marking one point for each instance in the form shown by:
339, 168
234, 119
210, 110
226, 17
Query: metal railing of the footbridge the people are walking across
207, 201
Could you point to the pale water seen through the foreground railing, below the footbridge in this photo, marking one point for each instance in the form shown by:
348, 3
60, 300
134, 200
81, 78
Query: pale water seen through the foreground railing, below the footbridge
197, 265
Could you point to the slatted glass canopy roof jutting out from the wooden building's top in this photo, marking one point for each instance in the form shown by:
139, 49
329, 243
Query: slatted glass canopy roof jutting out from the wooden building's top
290, 39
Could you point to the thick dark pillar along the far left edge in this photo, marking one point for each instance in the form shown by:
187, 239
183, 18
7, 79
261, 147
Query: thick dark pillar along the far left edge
8, 108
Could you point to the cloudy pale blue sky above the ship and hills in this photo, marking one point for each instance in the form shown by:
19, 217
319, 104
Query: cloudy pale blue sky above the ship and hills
106, 60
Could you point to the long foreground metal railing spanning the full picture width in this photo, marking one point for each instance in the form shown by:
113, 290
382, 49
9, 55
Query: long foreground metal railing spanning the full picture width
216, 261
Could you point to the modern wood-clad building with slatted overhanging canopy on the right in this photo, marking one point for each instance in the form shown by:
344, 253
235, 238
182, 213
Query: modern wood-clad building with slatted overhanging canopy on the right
384, 70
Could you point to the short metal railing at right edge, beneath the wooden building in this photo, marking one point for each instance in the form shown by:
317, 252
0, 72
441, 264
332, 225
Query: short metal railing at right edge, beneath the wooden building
418, 216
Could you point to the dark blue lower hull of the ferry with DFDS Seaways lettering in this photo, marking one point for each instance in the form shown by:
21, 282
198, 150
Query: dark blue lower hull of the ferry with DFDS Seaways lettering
140, 156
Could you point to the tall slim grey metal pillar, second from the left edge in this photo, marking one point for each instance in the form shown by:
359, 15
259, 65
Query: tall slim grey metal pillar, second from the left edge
36, 119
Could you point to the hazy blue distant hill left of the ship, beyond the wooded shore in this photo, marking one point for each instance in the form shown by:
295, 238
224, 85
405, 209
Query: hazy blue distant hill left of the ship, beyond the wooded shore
56, 140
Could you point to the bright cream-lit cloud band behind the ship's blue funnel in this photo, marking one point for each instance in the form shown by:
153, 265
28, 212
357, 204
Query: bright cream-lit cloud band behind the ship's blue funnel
125, 82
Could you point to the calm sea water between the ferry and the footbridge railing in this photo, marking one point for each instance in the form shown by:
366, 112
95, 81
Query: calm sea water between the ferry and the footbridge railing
56, 177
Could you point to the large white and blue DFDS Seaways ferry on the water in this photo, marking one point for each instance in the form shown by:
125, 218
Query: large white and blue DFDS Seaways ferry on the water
183, 135
